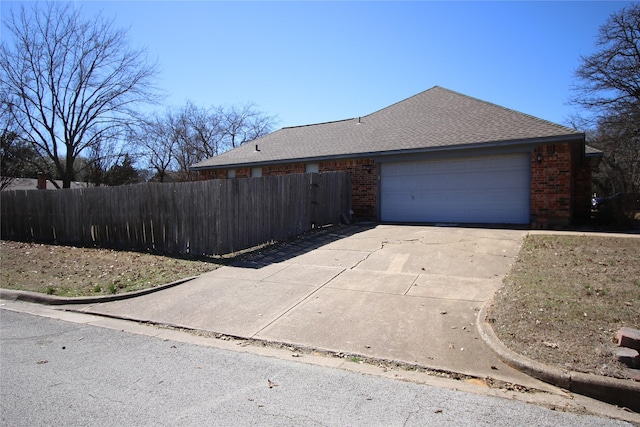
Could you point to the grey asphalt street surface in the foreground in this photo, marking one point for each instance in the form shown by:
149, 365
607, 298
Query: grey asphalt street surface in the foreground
54, 372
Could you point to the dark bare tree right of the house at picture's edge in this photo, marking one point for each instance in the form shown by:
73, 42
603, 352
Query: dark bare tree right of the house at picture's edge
608, 88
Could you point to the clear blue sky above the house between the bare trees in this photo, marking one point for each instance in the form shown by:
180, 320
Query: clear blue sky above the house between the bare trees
310, 62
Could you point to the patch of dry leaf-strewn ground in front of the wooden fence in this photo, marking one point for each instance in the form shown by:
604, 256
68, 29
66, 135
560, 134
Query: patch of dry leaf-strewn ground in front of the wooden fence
70, 271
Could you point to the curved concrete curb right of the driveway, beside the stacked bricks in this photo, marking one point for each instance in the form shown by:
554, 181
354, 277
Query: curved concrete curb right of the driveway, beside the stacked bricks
625, 393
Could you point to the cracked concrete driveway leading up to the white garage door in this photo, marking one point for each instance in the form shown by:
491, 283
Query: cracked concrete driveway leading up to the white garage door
394, 292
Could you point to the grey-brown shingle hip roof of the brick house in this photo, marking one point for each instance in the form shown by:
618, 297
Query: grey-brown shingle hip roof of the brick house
434, 119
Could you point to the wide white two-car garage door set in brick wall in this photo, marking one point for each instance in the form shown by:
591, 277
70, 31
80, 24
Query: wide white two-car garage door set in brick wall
488, 189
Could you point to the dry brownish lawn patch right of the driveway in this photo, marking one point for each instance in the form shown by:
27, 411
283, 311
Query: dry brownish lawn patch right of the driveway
566, 297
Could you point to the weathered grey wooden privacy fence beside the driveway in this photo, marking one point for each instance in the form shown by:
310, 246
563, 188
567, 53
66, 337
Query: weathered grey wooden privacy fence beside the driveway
198, 218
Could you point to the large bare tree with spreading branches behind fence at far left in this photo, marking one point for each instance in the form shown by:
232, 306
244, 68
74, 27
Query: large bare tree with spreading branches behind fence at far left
71, 82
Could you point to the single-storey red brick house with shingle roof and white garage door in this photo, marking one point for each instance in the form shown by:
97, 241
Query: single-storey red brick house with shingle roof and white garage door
438, 156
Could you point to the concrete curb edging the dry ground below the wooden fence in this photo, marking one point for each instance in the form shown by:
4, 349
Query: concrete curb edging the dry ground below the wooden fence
38, 298
